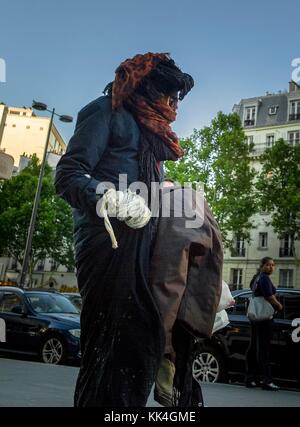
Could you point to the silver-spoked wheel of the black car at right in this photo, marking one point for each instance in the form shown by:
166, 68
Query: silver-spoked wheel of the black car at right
208, 365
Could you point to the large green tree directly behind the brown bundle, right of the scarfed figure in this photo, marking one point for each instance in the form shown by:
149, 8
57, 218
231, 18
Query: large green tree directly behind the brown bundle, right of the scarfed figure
219, 157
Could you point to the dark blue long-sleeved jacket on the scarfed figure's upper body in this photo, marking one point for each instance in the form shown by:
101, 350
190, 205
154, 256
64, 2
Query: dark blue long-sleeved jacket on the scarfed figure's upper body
104, 145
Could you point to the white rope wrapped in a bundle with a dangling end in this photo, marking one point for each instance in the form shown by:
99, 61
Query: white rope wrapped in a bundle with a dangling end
125, 206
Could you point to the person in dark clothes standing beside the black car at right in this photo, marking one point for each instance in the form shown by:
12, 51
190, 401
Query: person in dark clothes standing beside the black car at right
258, 354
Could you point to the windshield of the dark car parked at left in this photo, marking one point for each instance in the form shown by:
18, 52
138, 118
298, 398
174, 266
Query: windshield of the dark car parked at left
51, 303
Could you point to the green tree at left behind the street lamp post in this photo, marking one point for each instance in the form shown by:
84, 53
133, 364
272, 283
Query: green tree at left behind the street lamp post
54, 226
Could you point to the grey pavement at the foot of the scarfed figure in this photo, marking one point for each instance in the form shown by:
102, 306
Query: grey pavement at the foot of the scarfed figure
24, 383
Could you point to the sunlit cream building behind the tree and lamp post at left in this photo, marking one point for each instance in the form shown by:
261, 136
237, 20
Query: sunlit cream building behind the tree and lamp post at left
22, 134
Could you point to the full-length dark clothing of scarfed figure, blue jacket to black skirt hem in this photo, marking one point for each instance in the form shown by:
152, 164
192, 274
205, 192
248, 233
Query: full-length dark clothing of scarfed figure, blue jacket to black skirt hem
122, 338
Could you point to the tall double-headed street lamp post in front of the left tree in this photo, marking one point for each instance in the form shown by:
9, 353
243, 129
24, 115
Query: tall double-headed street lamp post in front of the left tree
67, 119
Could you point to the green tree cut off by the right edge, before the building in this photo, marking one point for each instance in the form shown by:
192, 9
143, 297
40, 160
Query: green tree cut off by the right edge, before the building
278, 188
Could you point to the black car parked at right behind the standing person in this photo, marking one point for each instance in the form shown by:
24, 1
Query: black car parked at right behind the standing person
219, 358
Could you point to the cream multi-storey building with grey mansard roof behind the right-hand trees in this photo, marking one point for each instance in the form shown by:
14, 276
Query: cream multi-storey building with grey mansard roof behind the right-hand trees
265, 120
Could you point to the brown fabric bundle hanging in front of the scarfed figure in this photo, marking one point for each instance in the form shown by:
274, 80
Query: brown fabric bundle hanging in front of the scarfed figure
186, 272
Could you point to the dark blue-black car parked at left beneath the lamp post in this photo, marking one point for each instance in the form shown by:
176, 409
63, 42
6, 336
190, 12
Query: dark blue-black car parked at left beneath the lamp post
45, 324
